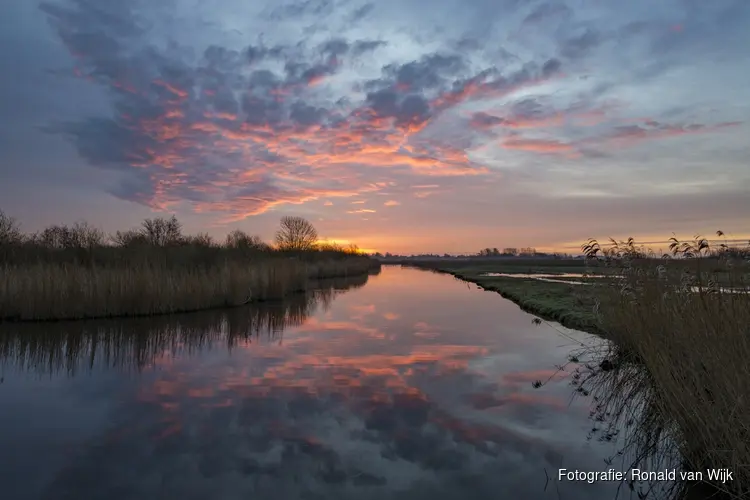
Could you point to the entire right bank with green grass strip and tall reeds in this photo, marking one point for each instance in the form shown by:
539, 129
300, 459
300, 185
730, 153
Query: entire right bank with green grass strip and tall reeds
672, 370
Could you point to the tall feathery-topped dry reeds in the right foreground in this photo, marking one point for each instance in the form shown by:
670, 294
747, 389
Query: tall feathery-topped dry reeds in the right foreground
676, 364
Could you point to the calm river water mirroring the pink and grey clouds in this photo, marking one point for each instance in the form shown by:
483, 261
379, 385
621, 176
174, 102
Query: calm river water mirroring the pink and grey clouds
412, 386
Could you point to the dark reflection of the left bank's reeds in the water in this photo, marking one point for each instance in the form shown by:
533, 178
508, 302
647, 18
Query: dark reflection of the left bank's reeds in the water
138, 342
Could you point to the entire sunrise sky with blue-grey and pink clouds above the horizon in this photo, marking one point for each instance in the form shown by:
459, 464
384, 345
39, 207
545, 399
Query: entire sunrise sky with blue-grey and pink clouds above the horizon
404, 126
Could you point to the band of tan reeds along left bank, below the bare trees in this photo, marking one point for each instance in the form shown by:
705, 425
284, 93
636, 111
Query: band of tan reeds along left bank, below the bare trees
51, 291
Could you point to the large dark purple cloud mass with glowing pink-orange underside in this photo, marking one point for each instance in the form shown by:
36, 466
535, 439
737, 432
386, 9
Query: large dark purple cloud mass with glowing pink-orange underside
182, 130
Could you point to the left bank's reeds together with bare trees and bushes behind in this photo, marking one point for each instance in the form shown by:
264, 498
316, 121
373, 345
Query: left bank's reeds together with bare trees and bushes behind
76, 272
